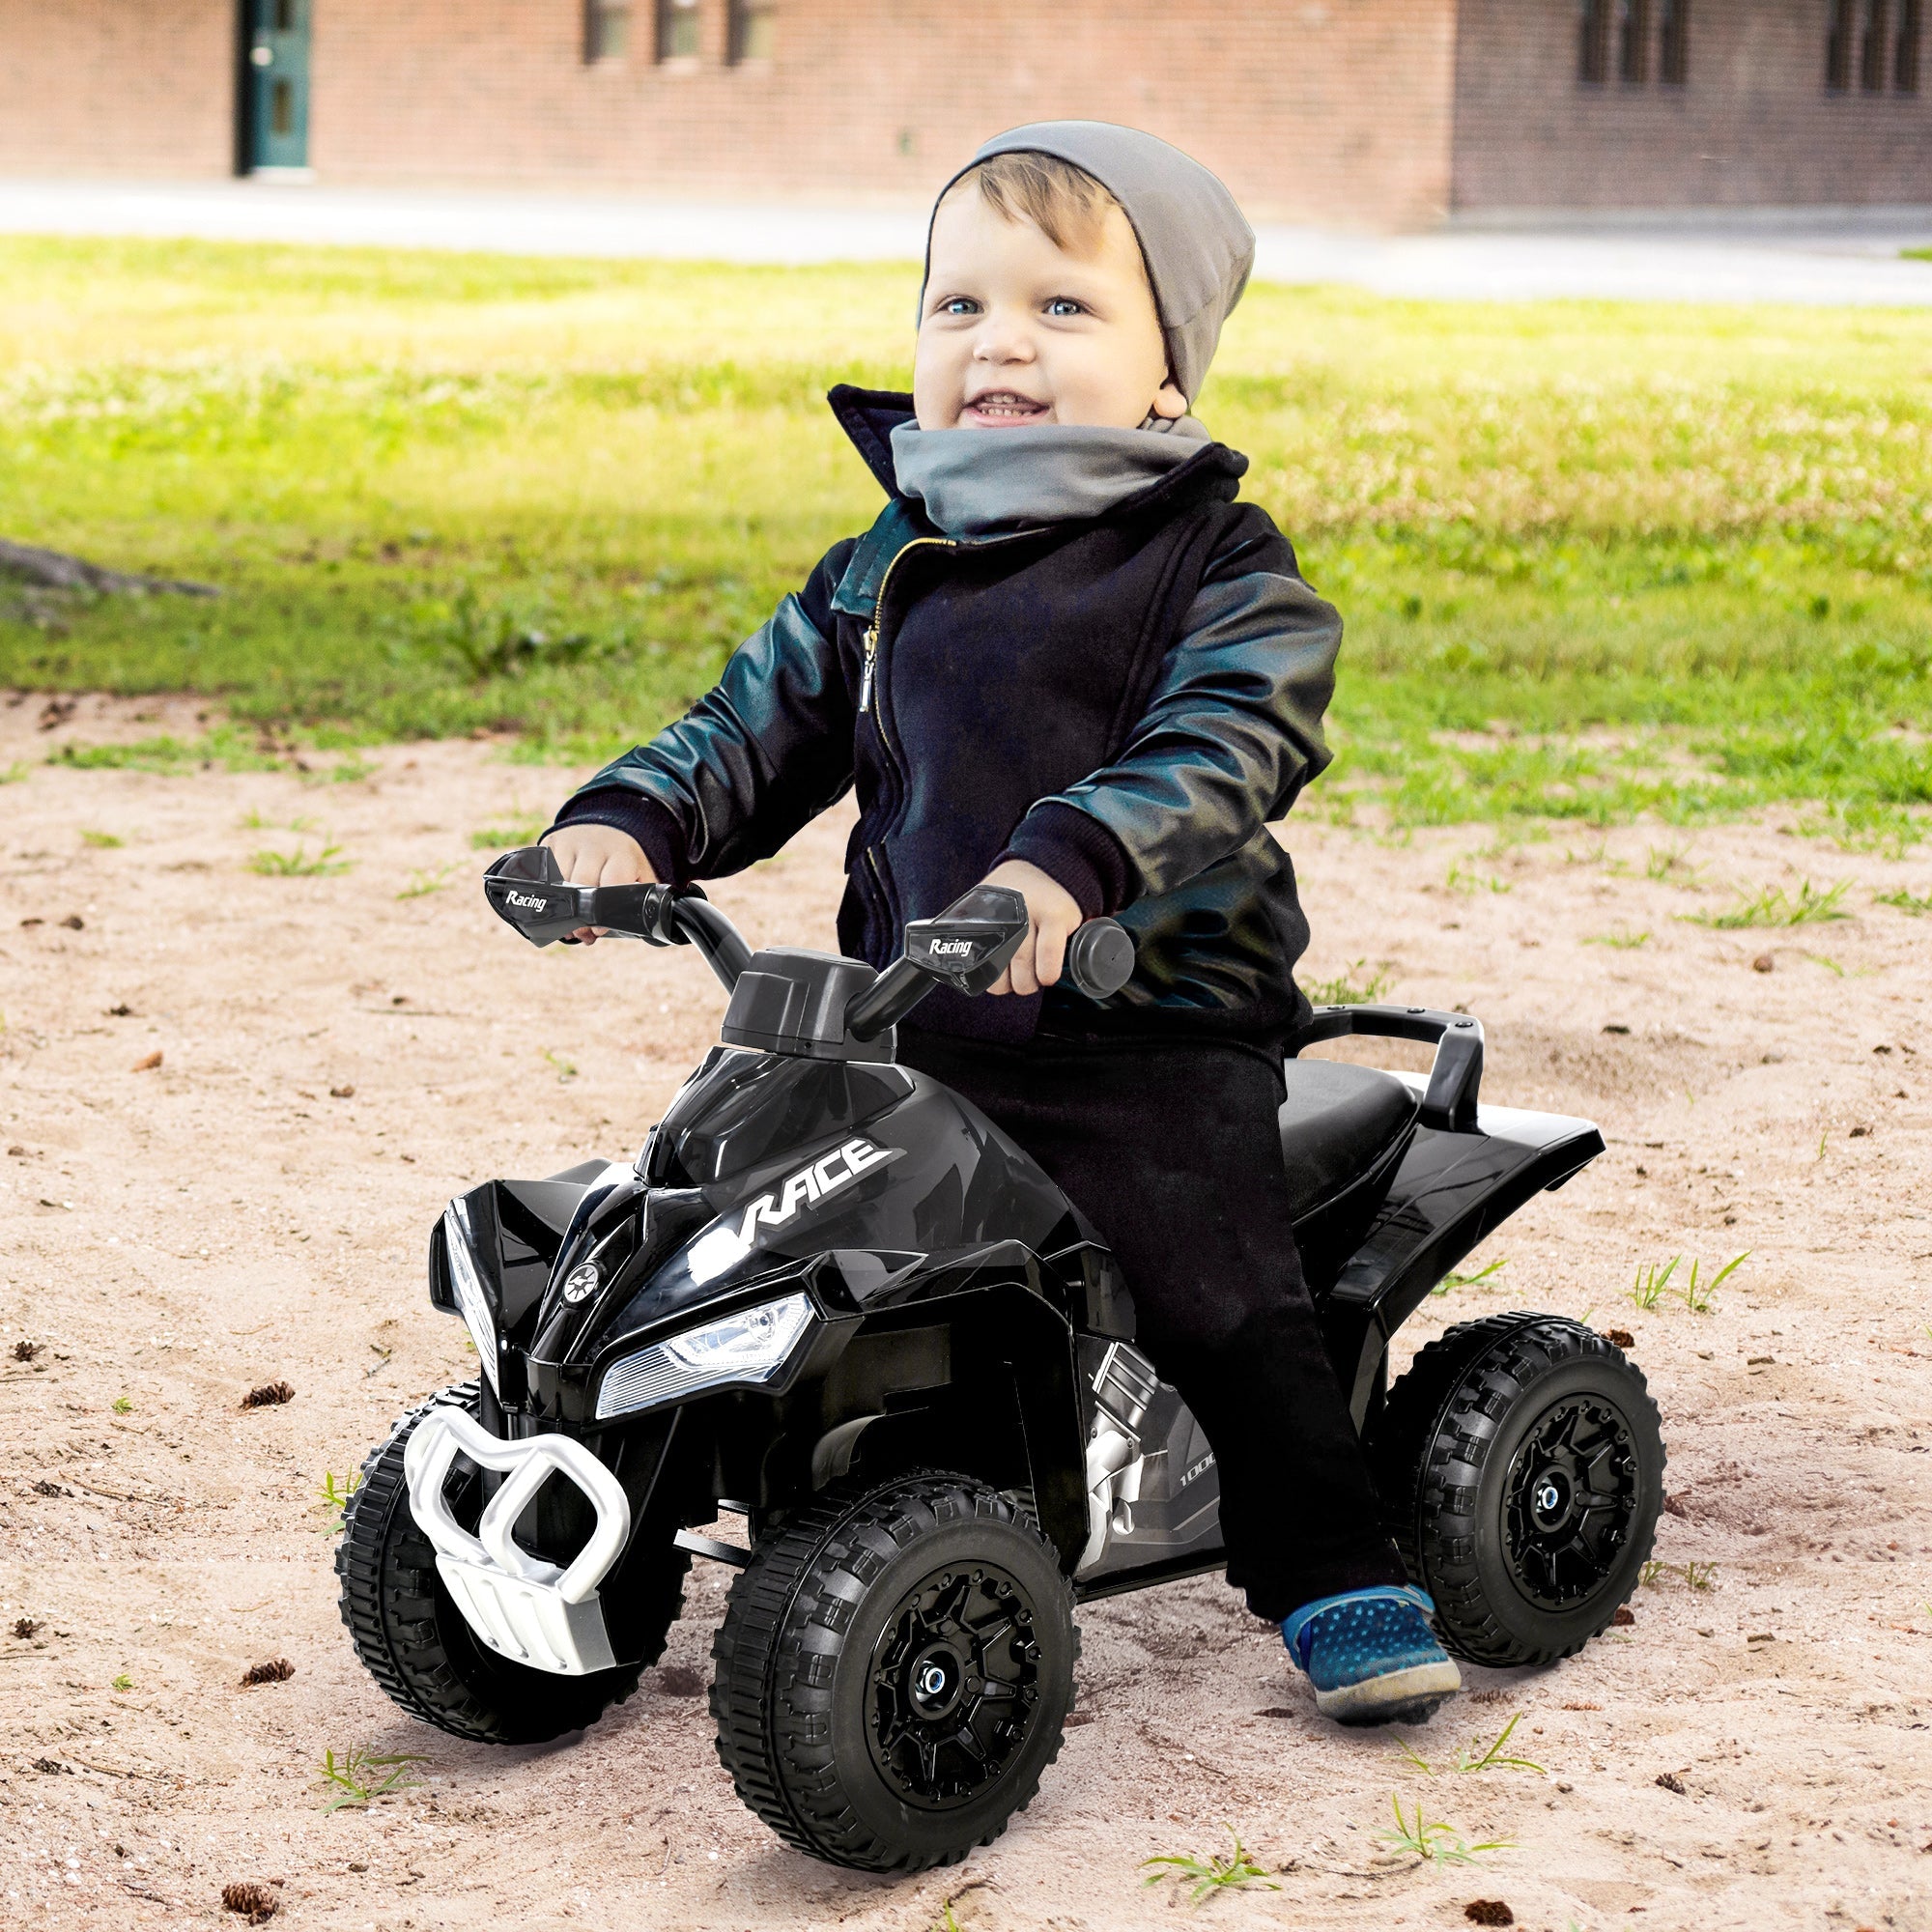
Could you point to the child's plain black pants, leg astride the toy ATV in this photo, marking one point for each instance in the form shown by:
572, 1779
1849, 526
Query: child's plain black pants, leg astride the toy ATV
1174, 1154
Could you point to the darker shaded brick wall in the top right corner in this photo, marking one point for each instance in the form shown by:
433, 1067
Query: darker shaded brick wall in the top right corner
1751, 125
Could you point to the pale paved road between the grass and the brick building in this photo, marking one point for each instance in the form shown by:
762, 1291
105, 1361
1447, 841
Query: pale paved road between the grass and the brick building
1751, 256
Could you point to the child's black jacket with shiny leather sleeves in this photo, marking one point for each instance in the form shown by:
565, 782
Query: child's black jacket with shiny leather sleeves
1125, 702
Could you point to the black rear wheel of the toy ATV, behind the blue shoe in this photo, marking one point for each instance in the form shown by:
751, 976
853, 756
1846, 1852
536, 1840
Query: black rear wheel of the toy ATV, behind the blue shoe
1521, 1465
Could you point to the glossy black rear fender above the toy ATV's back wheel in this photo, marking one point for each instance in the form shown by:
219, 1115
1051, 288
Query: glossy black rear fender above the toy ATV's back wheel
1452, 1193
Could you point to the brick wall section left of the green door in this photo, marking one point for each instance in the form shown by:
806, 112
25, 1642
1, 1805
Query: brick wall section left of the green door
117, 86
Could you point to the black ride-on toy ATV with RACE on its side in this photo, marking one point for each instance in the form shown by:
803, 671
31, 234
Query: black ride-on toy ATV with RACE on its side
834, 1299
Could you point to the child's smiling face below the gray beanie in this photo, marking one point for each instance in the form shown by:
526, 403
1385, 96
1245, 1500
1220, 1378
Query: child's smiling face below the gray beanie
1017, 331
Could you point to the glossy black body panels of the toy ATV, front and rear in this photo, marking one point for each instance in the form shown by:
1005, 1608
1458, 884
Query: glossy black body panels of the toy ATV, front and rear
965, 1309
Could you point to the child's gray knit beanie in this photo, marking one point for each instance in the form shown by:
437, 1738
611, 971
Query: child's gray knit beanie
1193, 237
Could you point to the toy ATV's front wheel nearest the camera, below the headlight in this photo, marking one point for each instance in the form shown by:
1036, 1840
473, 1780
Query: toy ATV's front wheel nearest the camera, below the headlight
894, 1672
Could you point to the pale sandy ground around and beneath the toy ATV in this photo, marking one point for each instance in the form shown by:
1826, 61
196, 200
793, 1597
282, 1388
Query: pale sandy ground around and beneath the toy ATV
337, 1060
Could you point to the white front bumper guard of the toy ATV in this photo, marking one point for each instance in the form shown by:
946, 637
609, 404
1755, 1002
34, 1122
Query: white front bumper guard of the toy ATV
525, 1608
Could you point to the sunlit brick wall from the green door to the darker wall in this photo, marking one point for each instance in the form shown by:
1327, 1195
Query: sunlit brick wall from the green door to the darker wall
1332, 109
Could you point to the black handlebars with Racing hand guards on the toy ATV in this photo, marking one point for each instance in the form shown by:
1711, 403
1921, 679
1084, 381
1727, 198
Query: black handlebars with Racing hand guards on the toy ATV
967, 948
